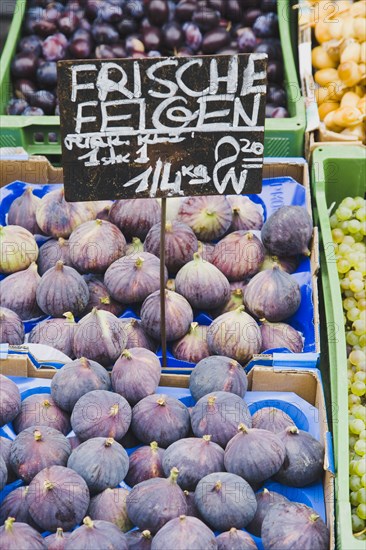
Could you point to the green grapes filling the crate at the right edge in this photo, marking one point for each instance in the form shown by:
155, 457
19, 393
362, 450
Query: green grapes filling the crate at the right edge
348, 231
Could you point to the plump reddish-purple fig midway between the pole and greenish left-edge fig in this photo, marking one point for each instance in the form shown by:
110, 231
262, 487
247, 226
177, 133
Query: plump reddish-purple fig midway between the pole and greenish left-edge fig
95, 245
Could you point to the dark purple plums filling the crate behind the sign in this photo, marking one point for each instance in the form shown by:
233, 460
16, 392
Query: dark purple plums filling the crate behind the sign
106, 29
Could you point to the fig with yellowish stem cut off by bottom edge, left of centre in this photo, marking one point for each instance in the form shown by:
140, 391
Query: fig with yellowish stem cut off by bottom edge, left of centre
96, 534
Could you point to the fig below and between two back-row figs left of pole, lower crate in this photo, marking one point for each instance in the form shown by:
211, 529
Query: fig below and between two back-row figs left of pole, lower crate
101, 413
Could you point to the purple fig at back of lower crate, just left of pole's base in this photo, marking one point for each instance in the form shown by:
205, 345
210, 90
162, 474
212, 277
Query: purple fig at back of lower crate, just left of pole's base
136, 374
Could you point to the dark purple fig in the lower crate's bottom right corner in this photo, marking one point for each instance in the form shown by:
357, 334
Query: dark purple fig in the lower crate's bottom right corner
293, 525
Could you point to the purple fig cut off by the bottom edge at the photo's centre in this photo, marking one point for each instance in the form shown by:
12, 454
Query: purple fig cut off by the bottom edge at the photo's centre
184, 532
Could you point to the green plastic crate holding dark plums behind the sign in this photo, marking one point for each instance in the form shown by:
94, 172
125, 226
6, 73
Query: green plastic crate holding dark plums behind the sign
283, 137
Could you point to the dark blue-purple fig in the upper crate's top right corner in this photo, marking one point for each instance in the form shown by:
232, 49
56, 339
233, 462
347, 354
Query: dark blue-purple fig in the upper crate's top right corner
288, 231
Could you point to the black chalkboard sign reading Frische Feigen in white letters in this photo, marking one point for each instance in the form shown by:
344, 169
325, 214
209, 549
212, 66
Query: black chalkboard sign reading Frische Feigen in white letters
162, 127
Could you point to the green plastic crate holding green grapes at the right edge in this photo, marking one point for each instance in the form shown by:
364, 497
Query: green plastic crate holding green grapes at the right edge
337, 172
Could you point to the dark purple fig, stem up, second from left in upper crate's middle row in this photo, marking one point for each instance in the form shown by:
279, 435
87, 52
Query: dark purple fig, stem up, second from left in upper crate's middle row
62, 289
